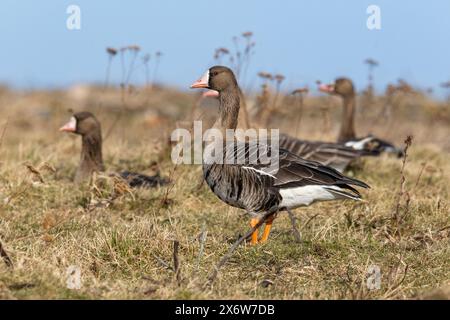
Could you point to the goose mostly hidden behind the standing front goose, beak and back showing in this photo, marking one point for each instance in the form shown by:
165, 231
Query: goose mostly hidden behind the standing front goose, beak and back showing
335, 155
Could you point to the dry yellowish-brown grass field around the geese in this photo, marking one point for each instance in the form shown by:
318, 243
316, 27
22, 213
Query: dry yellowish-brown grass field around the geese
123, 240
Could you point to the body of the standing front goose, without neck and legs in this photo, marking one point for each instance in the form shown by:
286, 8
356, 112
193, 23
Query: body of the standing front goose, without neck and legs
257, 188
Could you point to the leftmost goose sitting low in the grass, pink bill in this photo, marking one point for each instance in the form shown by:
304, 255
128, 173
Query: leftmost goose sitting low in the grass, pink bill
91, 159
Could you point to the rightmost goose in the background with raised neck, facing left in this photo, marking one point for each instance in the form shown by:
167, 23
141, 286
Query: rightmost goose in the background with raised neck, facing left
344, 88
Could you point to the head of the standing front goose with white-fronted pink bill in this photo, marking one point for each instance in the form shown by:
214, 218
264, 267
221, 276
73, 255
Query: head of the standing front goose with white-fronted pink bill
217, 78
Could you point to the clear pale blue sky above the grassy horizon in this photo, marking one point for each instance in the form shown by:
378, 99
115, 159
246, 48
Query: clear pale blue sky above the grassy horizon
304, 40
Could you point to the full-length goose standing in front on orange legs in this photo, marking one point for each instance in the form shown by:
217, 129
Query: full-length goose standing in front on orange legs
254, 186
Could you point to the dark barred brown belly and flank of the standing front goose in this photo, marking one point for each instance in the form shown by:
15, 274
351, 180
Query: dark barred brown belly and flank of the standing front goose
240, 188
